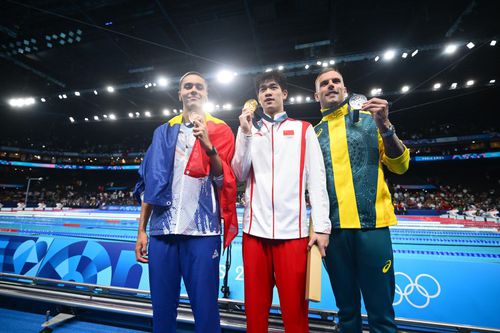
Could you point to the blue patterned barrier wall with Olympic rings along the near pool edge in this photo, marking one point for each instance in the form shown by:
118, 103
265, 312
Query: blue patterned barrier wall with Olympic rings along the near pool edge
452, 287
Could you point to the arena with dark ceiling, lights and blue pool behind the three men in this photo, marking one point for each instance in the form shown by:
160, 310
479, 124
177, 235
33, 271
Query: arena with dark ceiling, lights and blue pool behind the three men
85, 83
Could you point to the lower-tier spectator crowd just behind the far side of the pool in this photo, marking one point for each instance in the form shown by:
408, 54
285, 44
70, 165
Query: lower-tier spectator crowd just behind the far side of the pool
457, 198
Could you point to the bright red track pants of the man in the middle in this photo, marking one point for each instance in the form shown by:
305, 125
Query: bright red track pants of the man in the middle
269, 262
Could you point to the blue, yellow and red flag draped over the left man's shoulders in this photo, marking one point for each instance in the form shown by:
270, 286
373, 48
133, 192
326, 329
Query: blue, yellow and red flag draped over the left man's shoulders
156, 170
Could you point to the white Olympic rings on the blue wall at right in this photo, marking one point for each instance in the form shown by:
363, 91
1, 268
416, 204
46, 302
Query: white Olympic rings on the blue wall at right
411, 286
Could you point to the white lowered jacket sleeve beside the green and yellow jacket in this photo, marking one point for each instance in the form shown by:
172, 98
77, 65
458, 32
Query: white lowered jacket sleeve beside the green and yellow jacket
316, 184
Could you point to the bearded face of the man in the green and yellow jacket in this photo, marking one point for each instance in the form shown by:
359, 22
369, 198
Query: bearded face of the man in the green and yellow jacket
330, 89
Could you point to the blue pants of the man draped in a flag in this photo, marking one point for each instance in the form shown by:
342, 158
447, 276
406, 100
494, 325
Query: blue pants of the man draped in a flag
196, 259
